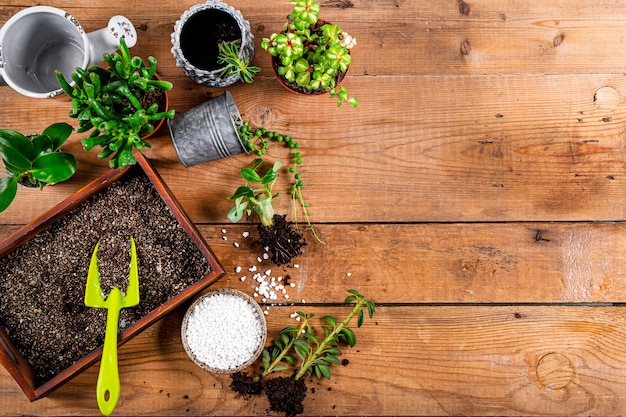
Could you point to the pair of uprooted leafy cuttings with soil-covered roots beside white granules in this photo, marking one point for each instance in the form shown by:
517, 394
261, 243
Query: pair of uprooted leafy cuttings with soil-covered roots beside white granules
316, 356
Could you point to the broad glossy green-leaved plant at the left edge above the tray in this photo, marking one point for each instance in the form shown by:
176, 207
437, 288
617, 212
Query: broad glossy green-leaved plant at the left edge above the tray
34, 159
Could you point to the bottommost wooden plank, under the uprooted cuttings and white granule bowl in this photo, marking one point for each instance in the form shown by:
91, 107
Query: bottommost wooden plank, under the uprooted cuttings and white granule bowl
475, 361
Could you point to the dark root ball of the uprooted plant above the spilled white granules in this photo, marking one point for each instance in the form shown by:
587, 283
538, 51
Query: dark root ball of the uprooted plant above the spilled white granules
282, 240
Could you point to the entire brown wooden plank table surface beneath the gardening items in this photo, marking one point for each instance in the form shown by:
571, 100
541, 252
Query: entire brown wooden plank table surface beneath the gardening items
476, 194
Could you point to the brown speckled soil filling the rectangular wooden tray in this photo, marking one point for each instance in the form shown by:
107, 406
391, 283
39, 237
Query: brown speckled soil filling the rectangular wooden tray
43, 281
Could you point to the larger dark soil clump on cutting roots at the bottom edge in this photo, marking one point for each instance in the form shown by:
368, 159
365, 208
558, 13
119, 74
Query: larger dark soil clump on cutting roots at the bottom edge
286, 394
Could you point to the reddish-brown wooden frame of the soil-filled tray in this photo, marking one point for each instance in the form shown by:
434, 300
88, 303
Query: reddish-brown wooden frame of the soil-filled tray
10, 356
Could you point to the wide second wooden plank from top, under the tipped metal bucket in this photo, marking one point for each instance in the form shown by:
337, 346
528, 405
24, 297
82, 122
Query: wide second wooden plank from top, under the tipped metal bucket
480, 148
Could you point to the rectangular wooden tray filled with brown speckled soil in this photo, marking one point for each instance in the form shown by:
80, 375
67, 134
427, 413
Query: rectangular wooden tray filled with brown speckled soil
47, 335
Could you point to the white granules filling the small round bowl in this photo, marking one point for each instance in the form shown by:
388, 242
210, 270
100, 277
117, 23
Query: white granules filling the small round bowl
223, 331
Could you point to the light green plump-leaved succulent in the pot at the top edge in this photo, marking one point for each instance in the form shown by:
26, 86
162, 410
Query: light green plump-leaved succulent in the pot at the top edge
312, 54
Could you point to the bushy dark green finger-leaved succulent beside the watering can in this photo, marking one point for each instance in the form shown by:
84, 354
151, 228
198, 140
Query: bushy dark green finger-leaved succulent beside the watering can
120, 104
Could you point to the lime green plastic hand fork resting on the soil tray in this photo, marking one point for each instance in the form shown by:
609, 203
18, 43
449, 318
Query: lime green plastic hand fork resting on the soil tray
108, 386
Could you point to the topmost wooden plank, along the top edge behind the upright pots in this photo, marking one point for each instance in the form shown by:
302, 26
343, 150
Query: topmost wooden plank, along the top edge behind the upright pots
399, 37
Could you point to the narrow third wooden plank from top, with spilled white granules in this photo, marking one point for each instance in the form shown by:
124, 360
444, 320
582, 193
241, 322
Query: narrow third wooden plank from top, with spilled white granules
438, 263
